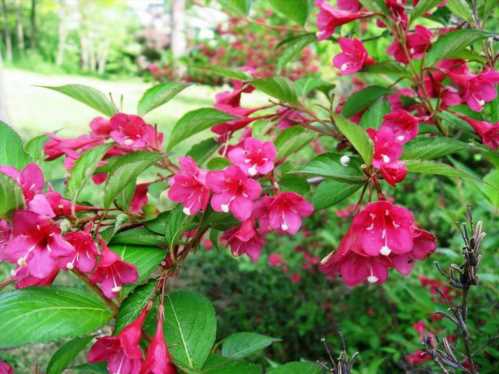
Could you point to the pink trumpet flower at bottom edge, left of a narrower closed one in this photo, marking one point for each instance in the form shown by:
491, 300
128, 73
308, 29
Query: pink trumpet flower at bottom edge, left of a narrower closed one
122, 352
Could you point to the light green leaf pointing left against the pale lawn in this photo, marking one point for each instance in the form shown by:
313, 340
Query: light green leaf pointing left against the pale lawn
87, 95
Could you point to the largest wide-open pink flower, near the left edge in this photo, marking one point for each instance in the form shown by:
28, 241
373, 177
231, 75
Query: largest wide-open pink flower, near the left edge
37, 245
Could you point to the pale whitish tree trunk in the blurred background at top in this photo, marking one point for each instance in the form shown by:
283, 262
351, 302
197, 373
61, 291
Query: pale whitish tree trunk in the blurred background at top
178, 36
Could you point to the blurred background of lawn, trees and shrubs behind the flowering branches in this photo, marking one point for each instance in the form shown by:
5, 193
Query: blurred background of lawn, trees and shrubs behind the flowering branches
124, 46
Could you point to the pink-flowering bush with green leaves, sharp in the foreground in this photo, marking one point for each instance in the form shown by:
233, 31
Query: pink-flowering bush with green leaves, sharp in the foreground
136, 203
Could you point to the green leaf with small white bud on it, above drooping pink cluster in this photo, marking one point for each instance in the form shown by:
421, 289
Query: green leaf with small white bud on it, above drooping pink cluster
329, 165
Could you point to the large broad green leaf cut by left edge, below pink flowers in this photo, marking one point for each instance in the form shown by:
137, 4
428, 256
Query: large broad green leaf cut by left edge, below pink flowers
40, 315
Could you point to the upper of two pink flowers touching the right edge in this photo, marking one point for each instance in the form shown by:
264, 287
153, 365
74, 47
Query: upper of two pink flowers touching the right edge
476, 90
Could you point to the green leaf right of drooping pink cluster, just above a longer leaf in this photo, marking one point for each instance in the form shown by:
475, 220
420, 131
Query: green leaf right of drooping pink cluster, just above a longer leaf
432, 148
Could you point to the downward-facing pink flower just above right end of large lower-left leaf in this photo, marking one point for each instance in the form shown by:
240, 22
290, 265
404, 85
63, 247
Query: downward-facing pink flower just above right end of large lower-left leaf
112, 272
